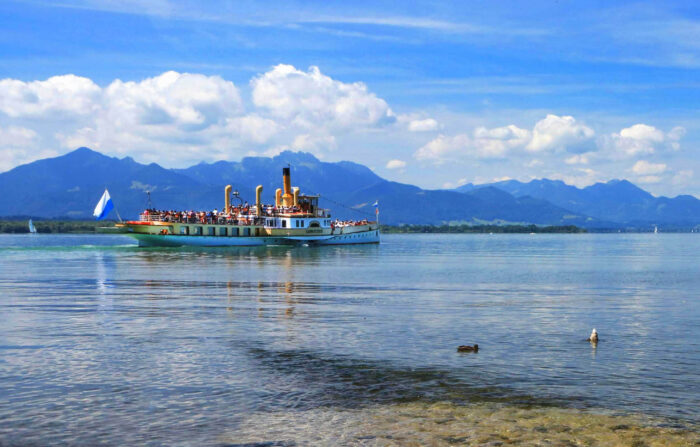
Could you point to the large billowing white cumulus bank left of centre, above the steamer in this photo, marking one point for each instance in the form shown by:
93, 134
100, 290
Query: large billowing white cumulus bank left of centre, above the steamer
183, 117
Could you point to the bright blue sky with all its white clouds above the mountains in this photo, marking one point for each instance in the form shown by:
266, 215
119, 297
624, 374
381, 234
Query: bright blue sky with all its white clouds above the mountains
435, 94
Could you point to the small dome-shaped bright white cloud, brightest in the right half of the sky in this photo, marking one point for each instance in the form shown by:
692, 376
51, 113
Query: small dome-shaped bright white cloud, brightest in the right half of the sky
560, 133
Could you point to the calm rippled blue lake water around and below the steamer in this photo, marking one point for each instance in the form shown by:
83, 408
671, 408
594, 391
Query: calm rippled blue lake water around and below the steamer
102, 342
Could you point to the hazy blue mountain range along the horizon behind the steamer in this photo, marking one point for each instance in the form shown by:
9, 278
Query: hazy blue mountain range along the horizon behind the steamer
70, 185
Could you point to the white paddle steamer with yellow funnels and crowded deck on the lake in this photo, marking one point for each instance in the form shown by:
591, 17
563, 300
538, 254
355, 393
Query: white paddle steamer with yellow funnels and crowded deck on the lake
294, 219
